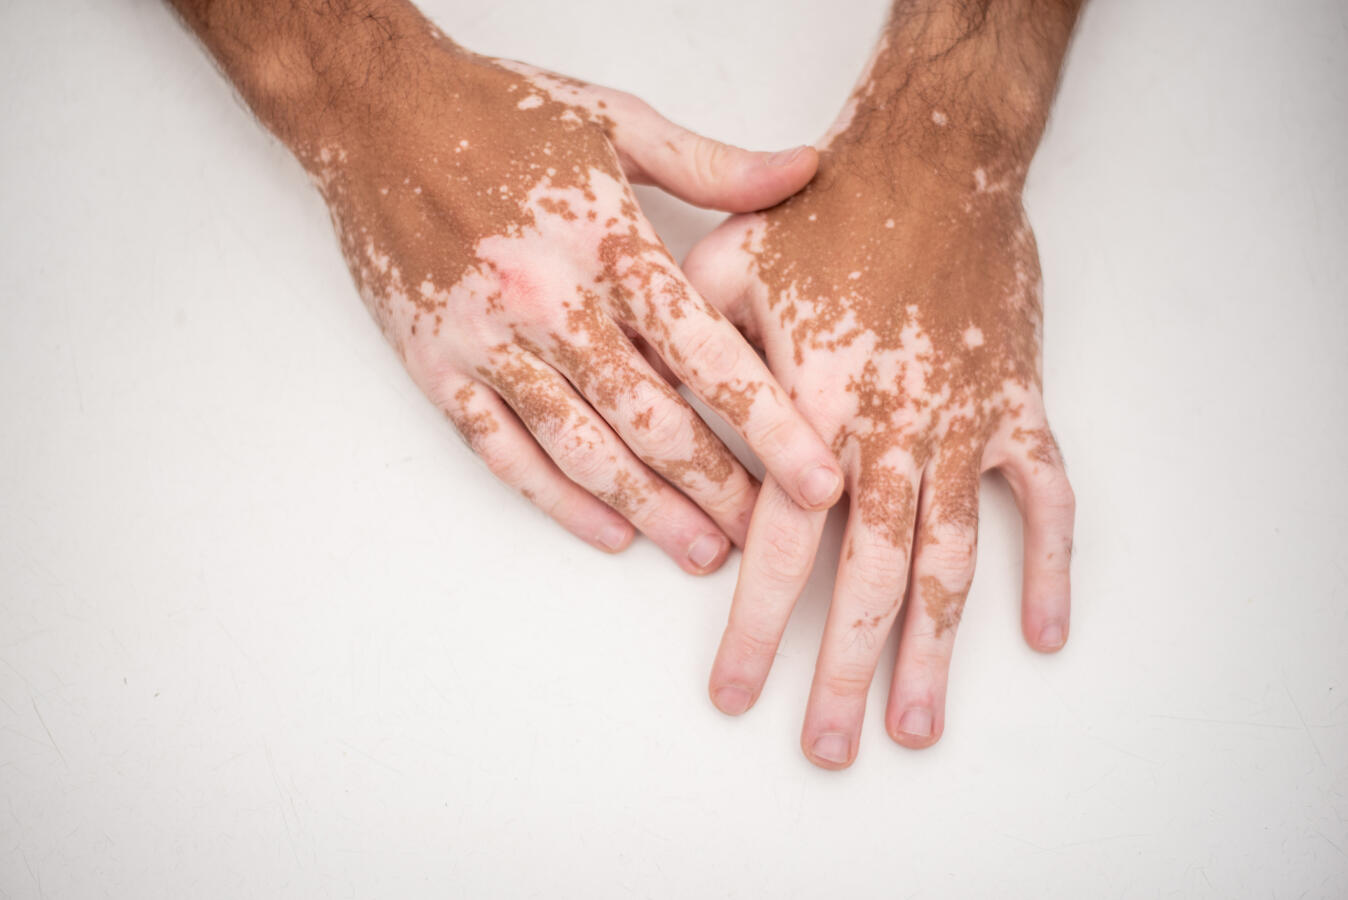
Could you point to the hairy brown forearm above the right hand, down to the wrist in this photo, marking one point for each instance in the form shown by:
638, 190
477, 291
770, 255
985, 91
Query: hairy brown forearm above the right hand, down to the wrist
956, 82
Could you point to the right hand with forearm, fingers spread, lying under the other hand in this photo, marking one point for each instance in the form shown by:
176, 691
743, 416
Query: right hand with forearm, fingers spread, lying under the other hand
898, 301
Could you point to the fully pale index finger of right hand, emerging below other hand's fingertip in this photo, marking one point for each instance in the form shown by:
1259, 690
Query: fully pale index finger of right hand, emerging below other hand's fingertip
778, 557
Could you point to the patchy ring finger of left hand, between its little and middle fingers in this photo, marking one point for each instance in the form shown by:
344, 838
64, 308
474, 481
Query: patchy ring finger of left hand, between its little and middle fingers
588, 452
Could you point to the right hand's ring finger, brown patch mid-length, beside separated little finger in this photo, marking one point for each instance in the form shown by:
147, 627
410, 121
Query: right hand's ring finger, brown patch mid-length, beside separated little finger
943, 571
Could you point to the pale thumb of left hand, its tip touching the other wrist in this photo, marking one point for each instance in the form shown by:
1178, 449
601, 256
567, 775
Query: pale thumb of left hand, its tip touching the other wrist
708, 173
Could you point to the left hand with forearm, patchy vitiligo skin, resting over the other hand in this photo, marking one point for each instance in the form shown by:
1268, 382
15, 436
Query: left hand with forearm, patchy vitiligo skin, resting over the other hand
486, 214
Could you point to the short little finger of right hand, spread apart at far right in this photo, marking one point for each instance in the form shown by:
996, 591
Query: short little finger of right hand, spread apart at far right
1048, 507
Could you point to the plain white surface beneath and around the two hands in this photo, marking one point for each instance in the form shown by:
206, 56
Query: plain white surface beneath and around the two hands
269, 630
